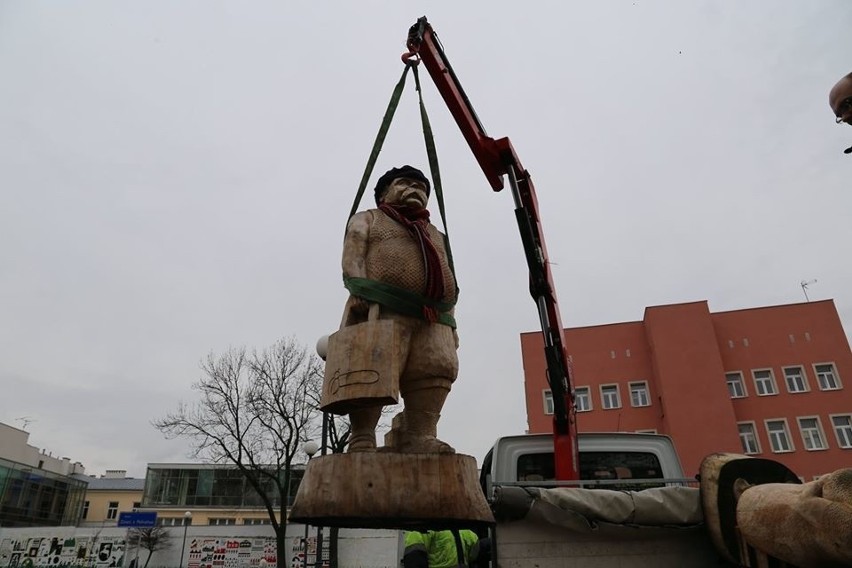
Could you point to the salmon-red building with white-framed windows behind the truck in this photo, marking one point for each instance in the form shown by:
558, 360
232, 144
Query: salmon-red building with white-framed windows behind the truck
761, 381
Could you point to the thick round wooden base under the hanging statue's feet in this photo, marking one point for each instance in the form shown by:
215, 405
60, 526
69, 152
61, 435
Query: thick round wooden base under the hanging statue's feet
391, 491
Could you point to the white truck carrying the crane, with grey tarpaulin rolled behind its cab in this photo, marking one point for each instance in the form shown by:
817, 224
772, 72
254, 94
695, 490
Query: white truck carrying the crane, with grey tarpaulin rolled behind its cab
633, 507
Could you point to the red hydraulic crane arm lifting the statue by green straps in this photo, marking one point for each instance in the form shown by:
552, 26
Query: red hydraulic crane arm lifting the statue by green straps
498, 158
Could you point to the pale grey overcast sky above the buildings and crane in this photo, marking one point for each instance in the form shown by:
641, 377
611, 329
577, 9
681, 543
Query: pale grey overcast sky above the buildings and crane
175, 178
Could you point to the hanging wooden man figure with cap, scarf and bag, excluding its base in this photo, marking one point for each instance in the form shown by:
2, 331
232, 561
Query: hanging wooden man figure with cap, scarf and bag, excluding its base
402, 293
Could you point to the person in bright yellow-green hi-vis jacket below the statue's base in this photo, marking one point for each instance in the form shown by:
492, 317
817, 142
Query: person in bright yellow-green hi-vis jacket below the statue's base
441, 549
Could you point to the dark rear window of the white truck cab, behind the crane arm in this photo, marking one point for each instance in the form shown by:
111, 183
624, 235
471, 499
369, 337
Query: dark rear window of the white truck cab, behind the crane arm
594, 465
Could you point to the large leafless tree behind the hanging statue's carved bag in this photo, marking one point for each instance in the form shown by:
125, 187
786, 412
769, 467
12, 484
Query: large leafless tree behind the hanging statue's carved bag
254, 412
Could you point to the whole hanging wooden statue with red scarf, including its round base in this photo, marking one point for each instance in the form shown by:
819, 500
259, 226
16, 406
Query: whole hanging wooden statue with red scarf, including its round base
397, 337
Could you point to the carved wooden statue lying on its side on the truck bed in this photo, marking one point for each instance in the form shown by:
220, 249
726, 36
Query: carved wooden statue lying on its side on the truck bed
758, 513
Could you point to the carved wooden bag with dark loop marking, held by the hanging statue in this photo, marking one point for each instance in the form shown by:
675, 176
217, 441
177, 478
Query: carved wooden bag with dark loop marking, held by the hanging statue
362, 366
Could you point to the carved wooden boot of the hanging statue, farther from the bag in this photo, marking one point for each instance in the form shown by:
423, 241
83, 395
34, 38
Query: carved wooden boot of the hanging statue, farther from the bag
417, 428
